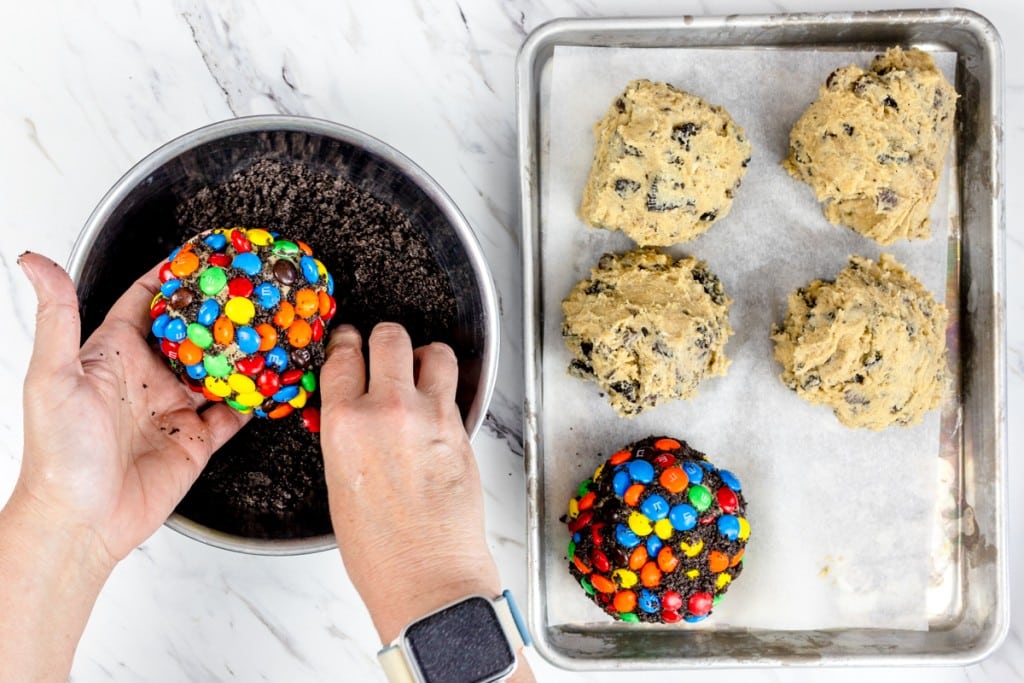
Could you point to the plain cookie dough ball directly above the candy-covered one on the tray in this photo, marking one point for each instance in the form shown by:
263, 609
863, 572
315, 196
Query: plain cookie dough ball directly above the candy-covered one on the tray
648, 328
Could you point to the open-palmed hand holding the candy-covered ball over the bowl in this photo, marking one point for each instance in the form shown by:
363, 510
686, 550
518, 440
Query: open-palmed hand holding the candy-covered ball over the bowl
113, 440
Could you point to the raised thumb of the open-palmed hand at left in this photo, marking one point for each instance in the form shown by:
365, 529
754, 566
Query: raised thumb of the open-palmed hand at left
59, 328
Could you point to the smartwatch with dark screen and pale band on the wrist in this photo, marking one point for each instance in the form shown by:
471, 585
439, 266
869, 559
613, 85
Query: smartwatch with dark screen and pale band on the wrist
474, 641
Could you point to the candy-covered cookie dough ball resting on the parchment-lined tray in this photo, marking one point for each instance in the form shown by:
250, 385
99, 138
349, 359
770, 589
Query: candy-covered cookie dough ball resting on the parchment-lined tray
659, 534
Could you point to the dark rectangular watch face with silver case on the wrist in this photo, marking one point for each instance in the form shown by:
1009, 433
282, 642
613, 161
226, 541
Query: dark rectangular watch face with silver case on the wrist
463, 644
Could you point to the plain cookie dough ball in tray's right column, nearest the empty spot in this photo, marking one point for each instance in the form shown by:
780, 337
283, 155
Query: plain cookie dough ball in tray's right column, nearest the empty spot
872, 346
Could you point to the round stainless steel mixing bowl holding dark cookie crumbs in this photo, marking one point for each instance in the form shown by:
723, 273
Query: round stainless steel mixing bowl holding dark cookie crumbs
142, 204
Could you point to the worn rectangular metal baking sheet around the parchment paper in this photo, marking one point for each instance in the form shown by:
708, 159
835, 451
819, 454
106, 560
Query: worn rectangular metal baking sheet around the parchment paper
967, 605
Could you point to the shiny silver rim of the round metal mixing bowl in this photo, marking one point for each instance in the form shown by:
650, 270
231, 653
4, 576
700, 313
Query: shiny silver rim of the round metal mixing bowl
277, 122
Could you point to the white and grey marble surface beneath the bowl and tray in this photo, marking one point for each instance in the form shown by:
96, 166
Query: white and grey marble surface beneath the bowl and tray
91, 89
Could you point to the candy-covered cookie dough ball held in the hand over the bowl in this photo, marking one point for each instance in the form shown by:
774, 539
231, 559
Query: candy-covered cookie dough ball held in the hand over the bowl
241, 317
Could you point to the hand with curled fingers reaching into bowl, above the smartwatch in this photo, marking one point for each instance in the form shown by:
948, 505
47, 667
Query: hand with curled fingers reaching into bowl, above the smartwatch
405, 492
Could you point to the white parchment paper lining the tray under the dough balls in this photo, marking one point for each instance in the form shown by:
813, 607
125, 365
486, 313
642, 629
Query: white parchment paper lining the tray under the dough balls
841, 520
